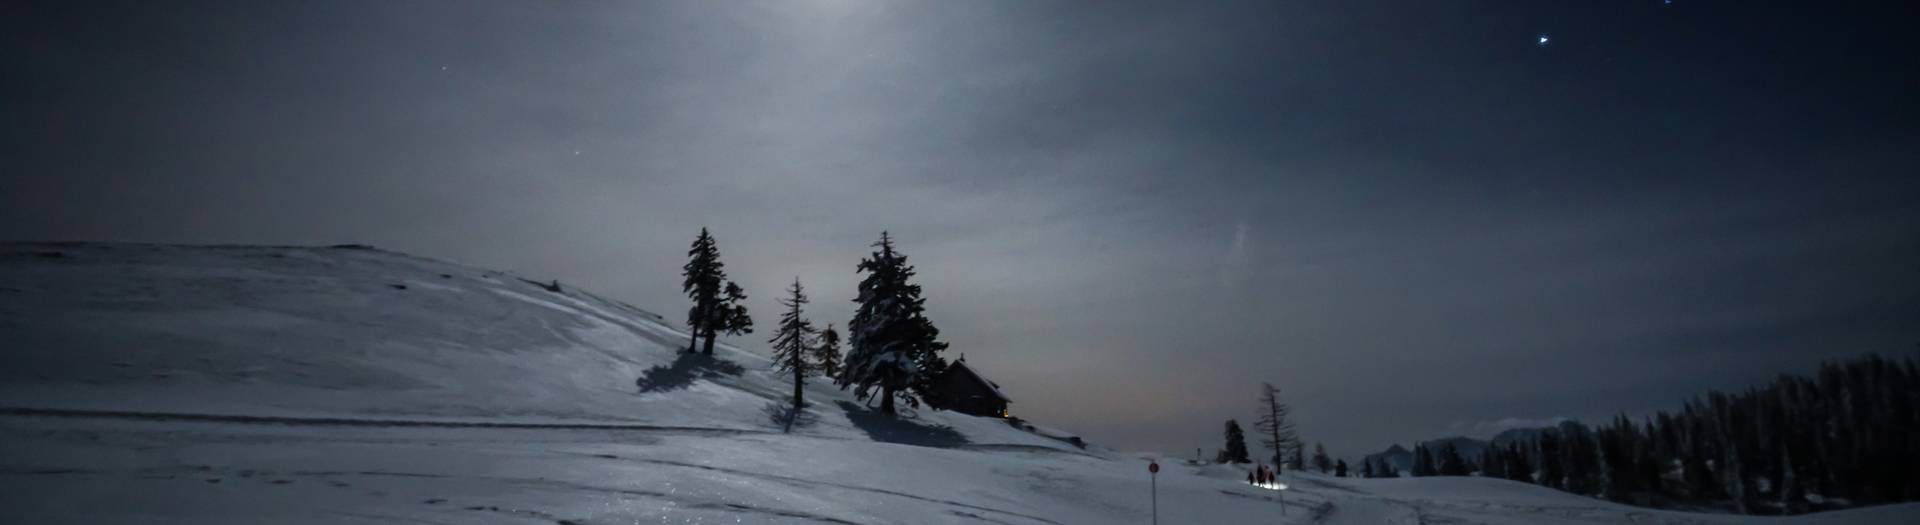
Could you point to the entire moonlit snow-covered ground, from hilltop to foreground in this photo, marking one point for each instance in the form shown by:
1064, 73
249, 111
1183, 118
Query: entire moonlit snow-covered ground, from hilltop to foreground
272, 386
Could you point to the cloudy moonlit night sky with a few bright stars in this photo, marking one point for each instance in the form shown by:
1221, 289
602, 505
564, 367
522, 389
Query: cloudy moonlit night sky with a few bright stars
1410, 216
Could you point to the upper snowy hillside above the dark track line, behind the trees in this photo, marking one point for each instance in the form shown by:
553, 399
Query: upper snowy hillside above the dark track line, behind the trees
366, 336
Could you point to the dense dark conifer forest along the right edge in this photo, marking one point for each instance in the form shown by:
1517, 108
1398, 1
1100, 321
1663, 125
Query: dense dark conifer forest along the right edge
1844, 437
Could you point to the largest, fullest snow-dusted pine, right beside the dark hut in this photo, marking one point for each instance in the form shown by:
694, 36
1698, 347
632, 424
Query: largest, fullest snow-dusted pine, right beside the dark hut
894, 347
